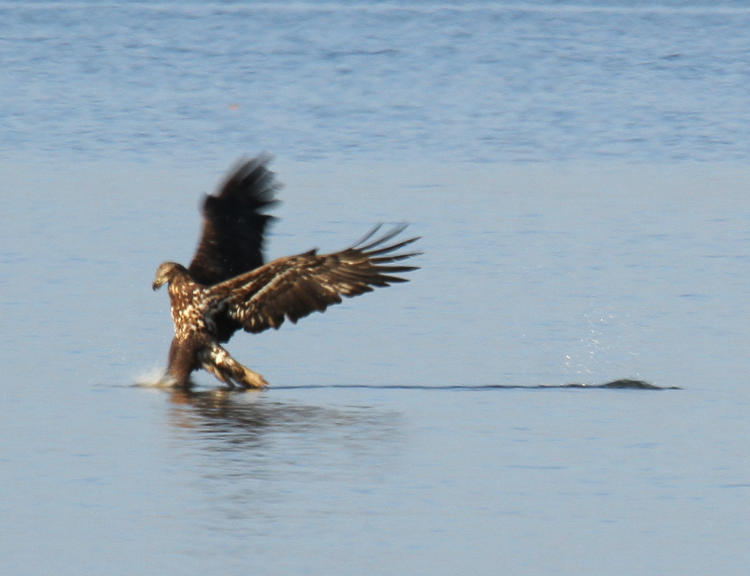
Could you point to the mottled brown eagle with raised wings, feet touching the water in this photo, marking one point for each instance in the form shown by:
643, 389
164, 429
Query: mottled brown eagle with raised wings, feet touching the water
227, 286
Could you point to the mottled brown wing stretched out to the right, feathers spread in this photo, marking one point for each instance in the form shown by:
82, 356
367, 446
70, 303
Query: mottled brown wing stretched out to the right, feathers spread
295, 286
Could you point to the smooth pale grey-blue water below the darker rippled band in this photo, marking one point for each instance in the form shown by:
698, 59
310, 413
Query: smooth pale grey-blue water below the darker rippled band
393, 438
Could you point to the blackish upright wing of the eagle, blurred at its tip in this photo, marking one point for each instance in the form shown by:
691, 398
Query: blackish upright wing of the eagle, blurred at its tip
234, 225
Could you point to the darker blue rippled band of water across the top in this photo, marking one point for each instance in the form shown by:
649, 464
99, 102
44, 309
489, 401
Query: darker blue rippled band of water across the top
519, 82
